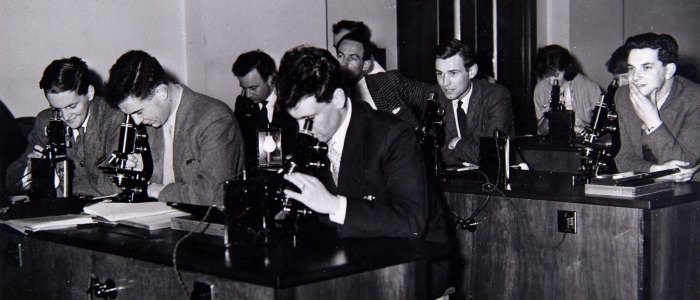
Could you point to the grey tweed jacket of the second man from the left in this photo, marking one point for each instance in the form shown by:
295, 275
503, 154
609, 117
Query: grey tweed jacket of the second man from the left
207, 150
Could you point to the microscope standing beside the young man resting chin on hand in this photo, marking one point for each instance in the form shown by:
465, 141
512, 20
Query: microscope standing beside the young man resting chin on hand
603, 121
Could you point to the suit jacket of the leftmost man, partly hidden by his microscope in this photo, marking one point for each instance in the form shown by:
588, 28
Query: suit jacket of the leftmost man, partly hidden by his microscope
101, 138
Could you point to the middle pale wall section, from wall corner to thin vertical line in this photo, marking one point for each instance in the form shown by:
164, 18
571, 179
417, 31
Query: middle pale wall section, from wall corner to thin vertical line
218, 31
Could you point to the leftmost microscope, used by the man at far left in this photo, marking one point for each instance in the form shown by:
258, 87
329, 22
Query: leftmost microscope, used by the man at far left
51, 173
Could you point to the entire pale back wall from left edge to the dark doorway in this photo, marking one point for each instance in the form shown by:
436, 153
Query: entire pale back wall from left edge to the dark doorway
197, 41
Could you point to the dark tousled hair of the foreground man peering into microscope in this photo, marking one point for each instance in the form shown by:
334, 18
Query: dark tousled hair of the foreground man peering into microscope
307, 71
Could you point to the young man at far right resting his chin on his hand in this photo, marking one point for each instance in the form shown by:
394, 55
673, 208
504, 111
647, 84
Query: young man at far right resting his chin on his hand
659, 112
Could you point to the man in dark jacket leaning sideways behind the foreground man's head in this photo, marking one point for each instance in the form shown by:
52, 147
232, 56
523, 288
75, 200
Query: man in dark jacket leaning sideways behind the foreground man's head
388, 91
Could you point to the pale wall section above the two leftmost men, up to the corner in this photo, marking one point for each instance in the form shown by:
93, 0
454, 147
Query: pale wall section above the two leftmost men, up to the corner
34, 33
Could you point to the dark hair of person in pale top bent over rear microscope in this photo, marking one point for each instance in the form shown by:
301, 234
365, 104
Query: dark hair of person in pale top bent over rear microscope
554, 58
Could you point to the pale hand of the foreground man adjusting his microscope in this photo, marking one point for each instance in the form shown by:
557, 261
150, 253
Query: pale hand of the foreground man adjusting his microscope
313, 193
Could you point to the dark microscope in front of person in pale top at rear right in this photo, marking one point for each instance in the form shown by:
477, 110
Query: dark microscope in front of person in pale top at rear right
561, 120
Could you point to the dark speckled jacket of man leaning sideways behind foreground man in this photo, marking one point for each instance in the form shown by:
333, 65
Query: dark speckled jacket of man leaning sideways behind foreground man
391, 90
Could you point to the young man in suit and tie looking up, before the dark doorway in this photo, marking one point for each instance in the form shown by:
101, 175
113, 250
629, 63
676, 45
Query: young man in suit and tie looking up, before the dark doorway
473, 108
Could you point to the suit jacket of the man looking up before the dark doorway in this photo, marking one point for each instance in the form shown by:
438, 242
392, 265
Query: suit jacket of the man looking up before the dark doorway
490, 109
